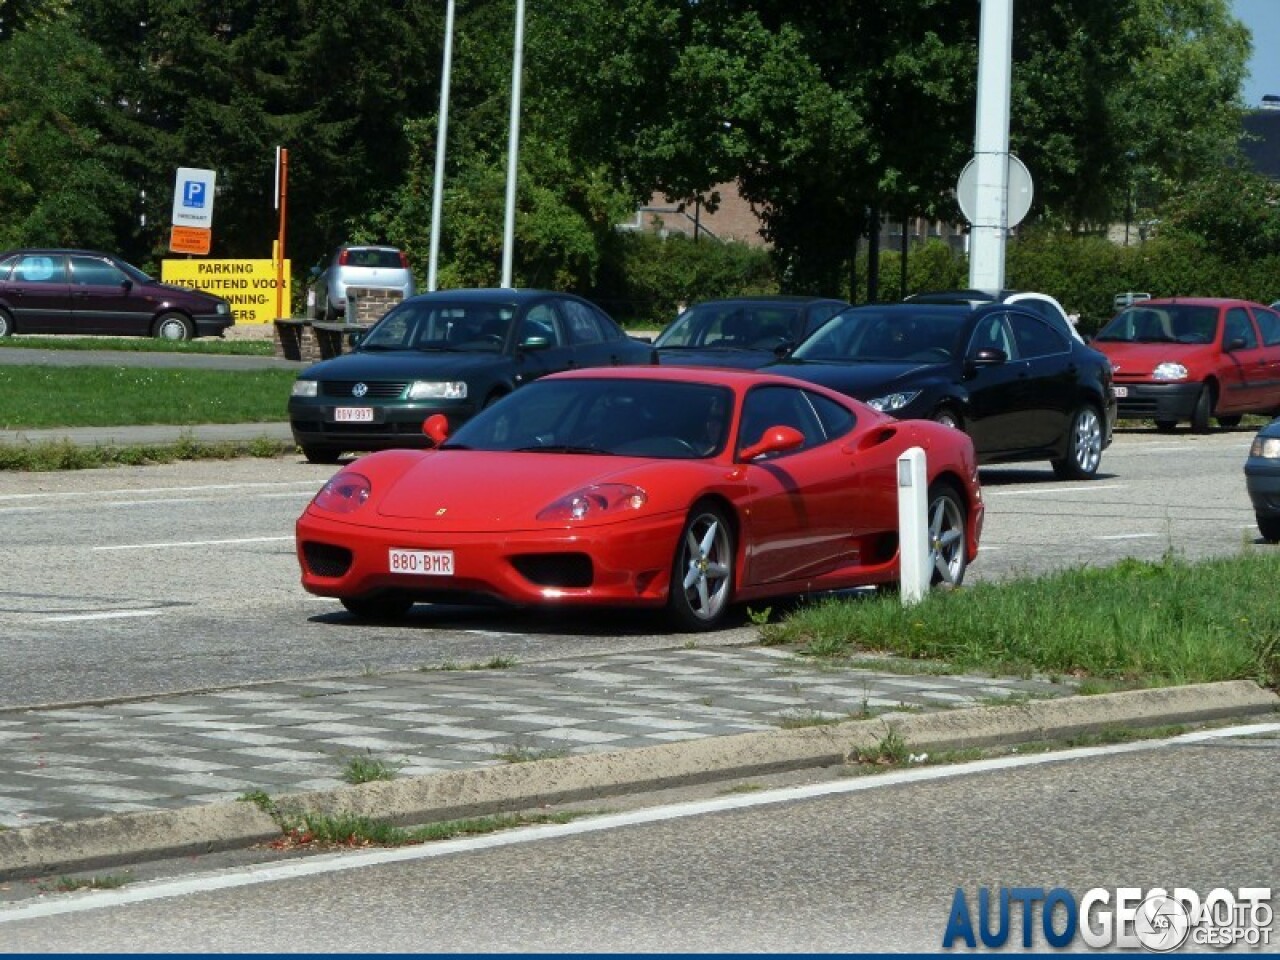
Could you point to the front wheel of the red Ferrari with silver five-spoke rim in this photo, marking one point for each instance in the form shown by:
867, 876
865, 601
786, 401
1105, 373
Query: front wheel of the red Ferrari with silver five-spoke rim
702, 573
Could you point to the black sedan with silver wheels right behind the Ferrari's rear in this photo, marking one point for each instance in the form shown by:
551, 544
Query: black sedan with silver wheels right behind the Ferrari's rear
1022, 388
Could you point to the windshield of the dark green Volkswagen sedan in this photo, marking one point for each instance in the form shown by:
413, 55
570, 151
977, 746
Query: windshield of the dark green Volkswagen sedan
436, 326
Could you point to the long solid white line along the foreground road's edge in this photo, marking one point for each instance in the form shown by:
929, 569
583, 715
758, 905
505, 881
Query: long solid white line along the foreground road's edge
339, 863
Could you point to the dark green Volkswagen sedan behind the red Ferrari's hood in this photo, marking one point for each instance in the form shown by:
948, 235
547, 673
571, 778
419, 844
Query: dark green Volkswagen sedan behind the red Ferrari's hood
449, 353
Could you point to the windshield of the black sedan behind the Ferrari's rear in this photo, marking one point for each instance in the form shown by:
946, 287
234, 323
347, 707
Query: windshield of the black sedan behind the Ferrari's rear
894, 335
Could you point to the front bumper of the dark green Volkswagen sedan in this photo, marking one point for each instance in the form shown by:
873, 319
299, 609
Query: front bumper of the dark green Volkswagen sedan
316, 423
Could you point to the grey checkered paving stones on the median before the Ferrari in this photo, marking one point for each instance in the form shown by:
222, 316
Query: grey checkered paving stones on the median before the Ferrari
180, 751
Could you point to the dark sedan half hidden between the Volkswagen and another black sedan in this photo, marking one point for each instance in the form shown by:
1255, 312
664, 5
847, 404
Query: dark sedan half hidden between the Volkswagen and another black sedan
742, 332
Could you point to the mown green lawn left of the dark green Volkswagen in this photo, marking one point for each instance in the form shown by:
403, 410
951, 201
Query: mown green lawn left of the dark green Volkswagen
38, 397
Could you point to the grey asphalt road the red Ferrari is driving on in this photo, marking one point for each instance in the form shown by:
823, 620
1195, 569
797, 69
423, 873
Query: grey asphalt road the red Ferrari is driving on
147, 580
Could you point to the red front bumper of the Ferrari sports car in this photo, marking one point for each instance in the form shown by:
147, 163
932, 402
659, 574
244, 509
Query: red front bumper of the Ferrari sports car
619, 565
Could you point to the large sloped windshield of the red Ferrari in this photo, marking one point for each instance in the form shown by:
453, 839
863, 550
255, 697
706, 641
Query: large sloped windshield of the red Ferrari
621, 418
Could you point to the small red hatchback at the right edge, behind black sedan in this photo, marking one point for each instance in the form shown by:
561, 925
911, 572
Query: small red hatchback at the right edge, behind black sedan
1194, 359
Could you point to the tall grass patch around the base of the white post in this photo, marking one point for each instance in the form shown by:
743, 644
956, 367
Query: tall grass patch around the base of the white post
1131, 624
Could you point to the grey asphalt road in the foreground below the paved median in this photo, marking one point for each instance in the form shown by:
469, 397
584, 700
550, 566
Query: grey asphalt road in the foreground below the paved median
875, 867
